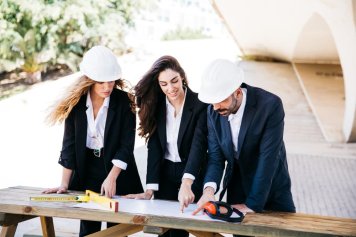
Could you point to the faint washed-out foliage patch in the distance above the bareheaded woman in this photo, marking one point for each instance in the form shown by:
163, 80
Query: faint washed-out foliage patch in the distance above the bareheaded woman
184, 33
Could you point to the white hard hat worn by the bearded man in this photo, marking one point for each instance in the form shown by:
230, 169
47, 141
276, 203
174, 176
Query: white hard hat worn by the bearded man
220, 79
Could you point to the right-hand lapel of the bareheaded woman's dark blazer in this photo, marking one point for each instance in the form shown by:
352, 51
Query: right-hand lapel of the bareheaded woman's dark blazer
186, 115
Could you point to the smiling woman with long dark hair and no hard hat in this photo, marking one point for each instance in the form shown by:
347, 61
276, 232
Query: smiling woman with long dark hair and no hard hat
173, 121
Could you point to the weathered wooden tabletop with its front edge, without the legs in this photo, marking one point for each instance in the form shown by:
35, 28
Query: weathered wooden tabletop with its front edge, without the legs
16, 201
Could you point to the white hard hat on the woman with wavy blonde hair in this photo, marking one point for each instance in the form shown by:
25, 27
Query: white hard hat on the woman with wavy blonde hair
100, 64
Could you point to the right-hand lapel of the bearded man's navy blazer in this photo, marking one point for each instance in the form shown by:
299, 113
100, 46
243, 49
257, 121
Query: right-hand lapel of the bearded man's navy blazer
248, 115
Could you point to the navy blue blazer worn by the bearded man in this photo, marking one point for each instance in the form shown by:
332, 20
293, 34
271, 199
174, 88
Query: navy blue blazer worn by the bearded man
259, 177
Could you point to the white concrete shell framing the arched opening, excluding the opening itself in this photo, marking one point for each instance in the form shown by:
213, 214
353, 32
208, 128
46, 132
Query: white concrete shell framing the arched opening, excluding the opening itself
276, 28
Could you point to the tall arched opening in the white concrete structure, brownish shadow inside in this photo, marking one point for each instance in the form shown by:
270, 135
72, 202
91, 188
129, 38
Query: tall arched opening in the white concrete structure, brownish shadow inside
321, 80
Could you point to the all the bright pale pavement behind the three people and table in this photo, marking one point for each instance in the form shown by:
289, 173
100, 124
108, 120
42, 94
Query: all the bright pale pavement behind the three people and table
322, 172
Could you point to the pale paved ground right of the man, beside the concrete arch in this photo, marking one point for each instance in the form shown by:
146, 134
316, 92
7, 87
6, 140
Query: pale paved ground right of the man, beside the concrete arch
322, 173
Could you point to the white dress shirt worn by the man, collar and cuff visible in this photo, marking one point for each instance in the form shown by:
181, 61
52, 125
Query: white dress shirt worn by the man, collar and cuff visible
235, 125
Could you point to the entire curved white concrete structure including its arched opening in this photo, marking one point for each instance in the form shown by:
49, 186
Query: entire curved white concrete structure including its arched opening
306, 33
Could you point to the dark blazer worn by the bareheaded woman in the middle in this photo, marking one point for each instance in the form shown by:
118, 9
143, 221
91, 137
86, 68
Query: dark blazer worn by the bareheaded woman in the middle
192, 139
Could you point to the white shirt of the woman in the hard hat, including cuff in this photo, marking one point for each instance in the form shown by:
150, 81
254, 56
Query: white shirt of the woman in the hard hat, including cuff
96, 128
